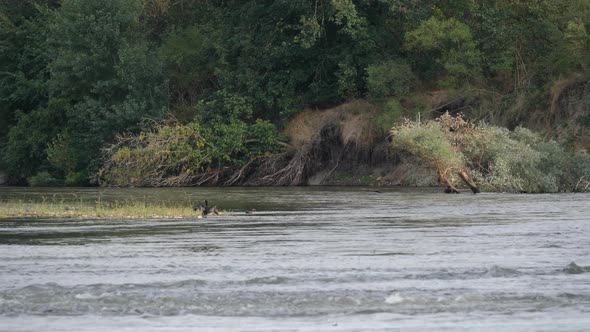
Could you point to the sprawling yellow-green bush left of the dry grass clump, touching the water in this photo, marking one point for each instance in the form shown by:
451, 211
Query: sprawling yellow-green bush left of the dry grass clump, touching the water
191, 154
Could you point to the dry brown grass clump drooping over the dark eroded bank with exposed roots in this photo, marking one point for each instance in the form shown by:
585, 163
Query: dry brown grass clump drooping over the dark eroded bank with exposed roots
321, 139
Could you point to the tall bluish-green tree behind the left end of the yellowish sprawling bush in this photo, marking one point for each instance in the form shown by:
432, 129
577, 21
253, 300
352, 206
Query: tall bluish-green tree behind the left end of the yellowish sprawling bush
103, 79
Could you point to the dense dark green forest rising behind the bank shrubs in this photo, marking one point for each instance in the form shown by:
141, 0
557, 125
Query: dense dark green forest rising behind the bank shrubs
76, 73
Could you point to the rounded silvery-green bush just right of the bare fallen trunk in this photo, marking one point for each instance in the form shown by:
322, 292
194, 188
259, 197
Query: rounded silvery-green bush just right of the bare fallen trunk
521, 161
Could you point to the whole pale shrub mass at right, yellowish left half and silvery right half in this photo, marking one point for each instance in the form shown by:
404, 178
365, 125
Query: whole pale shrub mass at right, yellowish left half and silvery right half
498, 159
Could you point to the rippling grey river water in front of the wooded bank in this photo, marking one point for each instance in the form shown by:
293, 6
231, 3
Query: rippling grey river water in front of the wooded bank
308, 259
